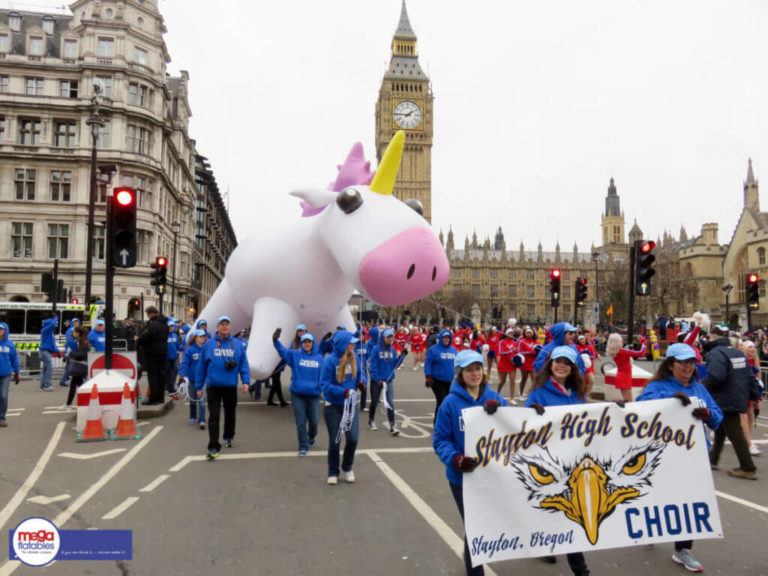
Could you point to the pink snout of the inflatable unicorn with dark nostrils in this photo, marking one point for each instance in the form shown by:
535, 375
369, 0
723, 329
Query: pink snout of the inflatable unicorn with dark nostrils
405, 268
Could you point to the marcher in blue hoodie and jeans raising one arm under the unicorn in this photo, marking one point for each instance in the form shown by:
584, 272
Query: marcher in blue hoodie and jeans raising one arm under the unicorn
305, 365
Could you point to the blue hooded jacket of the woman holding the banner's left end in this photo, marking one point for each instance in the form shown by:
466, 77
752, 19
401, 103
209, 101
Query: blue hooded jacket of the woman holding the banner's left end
448, 439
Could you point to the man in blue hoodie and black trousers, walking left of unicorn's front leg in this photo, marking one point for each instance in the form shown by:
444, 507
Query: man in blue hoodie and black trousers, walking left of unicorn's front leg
223, 360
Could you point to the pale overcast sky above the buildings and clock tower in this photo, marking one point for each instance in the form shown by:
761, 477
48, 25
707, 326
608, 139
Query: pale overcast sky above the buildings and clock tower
537, 106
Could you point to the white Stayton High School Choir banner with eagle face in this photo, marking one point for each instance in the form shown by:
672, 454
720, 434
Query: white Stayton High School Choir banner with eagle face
586, 477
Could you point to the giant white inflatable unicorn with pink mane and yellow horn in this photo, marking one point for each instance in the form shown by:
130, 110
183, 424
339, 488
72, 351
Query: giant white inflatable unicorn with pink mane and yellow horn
353, 236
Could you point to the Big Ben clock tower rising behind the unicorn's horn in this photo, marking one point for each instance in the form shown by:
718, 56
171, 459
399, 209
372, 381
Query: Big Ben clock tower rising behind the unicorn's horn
405, 103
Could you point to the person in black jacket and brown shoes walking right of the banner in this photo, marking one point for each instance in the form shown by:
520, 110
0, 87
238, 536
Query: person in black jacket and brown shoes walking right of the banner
731, 382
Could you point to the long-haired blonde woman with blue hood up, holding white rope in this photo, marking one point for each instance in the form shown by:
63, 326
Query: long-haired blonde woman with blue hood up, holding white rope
337, 380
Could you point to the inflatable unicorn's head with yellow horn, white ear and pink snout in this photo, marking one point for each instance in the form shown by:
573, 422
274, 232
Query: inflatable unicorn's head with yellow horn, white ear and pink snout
383, 246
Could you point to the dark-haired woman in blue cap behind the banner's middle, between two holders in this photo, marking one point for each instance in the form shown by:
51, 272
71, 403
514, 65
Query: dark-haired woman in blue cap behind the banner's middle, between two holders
560, 383
